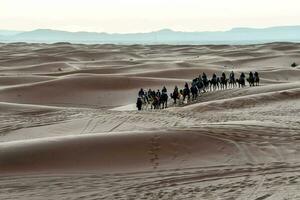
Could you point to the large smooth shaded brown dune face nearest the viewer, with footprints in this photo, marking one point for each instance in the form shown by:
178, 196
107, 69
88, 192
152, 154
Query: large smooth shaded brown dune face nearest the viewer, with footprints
115, 152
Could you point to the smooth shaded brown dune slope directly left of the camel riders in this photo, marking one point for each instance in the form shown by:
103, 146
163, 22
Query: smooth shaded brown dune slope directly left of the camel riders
101, 90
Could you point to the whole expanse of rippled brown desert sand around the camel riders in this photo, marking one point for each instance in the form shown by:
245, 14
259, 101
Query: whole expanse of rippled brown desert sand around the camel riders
69, 128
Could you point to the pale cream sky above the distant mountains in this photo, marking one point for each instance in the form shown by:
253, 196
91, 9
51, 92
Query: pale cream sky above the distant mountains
146, 15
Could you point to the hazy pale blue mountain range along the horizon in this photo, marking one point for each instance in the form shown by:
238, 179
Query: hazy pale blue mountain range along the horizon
165, 36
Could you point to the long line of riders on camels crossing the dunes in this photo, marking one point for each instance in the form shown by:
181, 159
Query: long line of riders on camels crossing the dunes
152, 99
